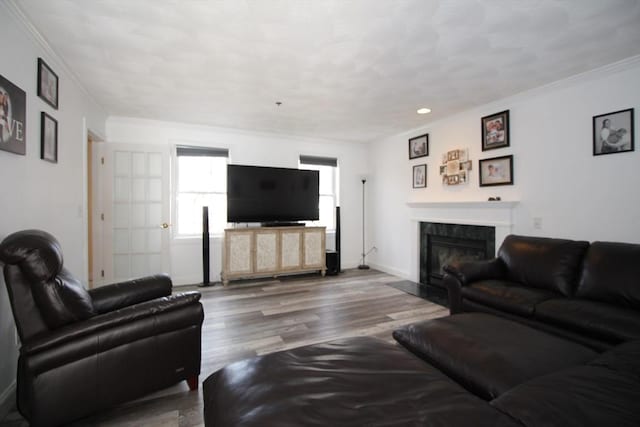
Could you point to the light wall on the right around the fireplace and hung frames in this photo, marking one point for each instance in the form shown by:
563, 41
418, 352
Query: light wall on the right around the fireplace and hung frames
557, 178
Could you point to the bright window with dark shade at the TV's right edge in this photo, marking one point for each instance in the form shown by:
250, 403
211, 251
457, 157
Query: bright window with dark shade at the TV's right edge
328, 168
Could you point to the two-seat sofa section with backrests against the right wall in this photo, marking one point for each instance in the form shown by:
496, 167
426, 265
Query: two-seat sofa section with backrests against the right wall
589, 293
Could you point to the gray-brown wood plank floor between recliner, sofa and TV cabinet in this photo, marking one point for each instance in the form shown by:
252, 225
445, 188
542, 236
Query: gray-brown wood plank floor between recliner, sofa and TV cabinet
250, 318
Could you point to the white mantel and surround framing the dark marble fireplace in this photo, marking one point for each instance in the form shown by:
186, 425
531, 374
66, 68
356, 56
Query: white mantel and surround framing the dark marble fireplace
494, 214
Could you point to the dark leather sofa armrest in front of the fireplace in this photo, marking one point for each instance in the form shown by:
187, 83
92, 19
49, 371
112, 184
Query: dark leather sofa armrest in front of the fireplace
459, 274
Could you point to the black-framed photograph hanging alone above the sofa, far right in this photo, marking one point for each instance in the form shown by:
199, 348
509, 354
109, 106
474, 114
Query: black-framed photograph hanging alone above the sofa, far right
613, 132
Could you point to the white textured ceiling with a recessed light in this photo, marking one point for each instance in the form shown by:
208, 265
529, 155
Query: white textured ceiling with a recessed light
344, 69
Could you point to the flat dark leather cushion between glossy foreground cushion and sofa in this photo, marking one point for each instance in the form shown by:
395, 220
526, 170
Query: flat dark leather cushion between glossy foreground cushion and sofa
487, 354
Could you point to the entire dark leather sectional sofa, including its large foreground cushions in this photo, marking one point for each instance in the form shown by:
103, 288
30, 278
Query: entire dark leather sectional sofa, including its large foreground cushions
502, 364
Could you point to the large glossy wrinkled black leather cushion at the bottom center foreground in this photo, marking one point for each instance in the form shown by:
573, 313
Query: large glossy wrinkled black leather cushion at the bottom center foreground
352, 382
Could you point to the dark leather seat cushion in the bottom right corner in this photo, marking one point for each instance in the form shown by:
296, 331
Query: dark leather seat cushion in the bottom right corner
603, 393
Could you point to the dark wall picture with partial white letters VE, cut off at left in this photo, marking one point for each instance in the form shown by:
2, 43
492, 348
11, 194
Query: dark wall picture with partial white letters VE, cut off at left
13, 118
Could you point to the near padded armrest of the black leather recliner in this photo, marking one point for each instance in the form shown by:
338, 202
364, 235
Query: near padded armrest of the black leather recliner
116, 328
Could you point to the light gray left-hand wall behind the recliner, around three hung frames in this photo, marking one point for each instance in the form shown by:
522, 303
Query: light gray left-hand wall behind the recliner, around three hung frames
35, 193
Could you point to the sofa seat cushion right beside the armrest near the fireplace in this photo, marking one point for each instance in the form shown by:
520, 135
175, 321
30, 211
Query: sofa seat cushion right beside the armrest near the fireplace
507, 296
